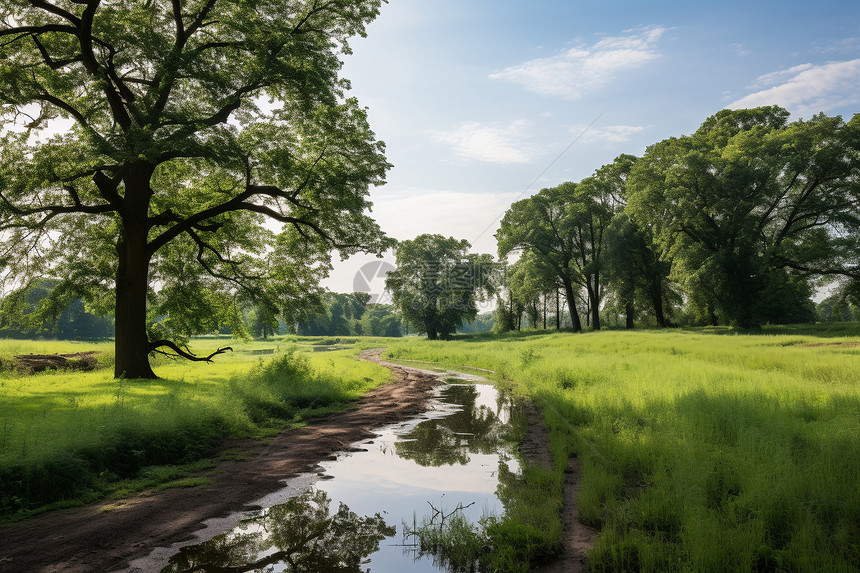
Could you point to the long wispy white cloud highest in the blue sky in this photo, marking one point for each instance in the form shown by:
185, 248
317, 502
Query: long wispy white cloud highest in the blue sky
578, 70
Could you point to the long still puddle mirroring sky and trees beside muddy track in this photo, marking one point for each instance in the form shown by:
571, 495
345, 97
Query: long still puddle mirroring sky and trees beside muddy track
349, 515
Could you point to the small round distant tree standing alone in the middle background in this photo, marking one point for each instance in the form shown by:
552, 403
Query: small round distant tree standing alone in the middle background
437, 283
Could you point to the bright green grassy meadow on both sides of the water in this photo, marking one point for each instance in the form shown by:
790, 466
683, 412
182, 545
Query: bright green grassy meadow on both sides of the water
702, 450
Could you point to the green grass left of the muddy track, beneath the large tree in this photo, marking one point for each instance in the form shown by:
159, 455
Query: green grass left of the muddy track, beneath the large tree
72, 437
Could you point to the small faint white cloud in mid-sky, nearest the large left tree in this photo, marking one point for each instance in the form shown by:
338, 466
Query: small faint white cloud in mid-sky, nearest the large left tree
493, 143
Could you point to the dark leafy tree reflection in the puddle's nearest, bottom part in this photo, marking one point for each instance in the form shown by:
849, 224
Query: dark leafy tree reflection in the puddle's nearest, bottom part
299, 536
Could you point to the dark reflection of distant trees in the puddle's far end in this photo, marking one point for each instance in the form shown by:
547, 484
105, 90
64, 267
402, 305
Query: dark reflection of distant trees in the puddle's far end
473, 428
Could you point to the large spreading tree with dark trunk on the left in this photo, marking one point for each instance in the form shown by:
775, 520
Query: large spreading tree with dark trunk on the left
145, 142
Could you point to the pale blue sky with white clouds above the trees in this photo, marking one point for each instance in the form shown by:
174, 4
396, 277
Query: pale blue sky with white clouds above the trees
484, 102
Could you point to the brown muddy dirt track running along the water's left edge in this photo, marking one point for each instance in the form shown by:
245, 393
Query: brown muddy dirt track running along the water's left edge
94, 538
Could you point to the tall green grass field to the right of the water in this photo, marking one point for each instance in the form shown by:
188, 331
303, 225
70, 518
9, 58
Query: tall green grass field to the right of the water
701, 452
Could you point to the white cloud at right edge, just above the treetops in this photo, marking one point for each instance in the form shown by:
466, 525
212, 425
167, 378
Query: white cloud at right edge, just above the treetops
807, 88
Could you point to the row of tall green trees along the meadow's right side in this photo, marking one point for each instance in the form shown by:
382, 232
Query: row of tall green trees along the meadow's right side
735, 224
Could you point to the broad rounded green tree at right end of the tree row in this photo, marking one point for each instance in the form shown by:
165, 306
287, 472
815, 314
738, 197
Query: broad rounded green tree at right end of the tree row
751, 207
